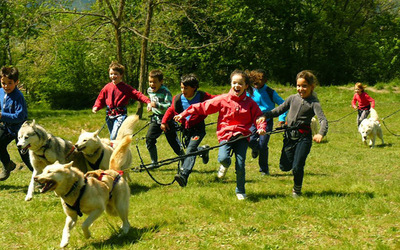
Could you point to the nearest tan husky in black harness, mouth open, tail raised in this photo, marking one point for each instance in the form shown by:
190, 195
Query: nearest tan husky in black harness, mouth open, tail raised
89, 194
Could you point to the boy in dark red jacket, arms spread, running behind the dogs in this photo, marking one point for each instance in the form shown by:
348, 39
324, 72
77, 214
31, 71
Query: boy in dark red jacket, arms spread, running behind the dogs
115, 96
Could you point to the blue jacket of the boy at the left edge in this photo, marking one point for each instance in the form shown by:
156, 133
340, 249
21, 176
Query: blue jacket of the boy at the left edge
13, 110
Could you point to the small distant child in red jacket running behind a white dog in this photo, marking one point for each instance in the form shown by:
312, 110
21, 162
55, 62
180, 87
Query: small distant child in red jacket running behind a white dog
365, 102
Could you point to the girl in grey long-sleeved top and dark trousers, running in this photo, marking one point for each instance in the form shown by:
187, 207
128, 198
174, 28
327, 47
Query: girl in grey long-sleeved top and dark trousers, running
297, 142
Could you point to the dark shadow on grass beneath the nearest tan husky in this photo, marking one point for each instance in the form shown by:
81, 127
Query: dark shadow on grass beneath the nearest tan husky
117, 240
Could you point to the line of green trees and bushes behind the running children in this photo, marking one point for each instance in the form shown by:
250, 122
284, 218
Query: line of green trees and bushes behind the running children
63, 53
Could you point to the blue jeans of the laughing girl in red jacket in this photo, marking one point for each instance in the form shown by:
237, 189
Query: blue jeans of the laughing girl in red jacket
239, 148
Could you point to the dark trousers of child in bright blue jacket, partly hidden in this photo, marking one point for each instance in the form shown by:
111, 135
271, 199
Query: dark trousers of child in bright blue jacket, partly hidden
260, 143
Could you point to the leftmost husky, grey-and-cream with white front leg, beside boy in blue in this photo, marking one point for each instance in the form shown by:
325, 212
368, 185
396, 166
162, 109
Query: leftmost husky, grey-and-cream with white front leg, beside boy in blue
45, 149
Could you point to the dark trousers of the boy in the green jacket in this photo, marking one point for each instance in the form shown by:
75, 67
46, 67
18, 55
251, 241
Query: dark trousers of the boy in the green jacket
154, 132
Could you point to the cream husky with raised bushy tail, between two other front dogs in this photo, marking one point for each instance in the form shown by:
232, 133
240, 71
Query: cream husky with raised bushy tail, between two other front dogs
97, 151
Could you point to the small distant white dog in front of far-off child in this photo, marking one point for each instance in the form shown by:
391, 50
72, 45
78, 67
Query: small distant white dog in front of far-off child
371, 128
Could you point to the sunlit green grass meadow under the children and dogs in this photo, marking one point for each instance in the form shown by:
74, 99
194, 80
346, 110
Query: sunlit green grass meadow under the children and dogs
351, 193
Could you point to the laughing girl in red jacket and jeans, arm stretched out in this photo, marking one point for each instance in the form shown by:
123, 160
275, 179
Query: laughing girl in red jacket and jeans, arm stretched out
237, 112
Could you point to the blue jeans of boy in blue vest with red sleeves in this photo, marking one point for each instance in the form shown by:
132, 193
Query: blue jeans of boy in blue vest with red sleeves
192, 146
